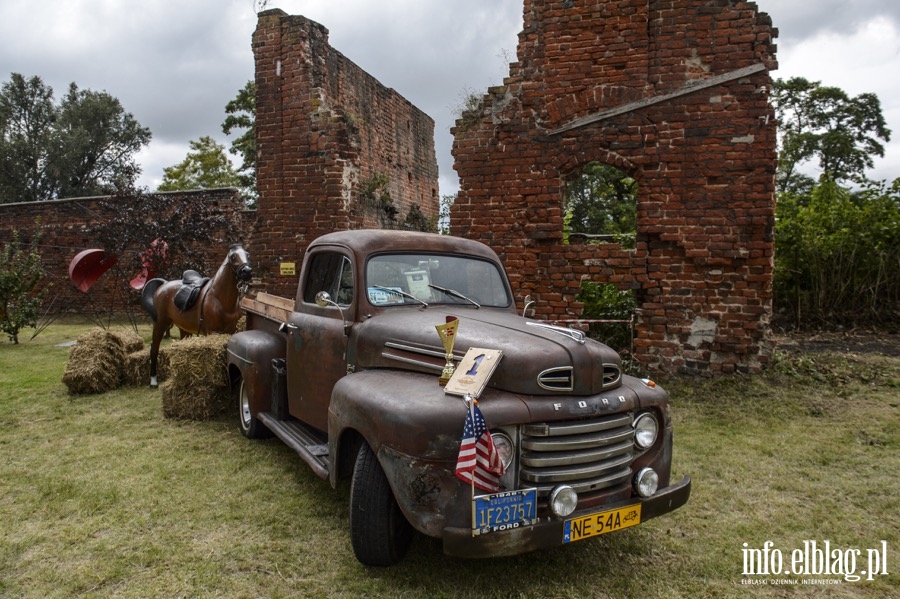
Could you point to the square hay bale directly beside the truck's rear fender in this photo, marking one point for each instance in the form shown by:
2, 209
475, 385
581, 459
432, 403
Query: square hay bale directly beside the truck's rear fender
198, 385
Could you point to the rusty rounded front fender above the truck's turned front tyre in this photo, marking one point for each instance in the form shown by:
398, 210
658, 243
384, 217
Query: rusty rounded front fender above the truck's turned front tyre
414, 429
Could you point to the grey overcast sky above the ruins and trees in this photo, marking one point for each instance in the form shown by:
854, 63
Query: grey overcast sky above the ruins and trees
175, 64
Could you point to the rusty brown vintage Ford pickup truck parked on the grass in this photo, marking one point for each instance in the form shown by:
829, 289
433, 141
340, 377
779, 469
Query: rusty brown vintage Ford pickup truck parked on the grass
347, 374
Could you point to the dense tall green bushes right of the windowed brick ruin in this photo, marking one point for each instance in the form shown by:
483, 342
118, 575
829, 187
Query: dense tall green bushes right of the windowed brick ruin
838, 254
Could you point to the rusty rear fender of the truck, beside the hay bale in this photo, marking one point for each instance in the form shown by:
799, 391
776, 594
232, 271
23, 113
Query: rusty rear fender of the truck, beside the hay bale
251, 353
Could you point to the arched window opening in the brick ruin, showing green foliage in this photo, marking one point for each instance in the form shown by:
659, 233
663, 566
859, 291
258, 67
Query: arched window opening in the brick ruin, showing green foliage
600, 205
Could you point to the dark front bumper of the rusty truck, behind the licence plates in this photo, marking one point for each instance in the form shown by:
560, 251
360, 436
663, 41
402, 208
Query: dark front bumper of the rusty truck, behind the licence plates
459, 542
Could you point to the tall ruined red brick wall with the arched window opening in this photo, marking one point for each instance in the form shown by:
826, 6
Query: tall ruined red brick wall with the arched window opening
674, 93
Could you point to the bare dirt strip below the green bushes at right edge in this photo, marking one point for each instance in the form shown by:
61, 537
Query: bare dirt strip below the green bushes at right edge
853, 341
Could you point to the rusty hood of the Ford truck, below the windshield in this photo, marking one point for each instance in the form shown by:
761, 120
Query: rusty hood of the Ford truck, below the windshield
537, 359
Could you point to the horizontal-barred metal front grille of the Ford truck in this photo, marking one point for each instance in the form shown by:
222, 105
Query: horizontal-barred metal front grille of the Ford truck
588, 455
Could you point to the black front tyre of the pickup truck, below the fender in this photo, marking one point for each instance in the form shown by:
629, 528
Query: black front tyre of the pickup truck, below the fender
379, 532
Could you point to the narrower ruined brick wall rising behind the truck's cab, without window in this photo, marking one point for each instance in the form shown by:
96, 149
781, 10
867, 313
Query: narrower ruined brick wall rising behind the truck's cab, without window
327, 132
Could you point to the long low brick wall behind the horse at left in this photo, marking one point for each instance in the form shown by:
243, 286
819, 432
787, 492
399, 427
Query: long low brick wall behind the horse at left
68, 226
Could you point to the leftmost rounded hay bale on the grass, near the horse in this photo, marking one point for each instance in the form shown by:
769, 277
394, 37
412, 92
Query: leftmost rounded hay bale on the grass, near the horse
95, 363
